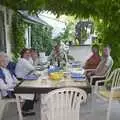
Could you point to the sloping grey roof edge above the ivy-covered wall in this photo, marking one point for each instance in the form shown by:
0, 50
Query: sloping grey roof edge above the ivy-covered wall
32, 19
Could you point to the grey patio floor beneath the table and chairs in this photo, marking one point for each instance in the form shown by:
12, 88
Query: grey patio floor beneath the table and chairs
99, 112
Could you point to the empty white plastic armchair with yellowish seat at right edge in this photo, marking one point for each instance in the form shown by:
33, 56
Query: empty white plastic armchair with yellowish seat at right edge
115, 77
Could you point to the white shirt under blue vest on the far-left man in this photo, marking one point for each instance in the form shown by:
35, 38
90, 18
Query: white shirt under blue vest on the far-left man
10, 80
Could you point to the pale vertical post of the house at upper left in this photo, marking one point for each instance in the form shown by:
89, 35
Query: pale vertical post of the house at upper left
7, 23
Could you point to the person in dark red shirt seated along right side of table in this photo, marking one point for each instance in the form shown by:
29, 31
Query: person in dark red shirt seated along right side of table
94, 60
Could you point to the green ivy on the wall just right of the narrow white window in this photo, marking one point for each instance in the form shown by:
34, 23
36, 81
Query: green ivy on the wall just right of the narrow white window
41, 38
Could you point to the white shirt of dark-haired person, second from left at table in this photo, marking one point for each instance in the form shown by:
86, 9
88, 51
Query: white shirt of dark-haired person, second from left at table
23, 68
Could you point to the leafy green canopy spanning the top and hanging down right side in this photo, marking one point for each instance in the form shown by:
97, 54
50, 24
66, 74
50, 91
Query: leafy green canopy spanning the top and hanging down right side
107, 11
